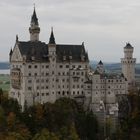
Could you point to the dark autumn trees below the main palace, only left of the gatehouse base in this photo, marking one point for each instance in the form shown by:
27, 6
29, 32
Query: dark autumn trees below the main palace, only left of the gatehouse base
62, 120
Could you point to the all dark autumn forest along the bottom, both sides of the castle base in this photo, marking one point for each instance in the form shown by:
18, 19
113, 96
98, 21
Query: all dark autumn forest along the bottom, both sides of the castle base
63, 120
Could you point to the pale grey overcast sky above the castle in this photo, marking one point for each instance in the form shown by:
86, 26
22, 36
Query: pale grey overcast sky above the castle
104, 25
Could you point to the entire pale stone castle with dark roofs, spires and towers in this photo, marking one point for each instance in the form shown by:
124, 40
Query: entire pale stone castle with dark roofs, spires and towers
43, 72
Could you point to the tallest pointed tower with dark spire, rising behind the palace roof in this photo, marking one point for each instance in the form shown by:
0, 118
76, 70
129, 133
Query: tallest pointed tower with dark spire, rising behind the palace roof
34, 28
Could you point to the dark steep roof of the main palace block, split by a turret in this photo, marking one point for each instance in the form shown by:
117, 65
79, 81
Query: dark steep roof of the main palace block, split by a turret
39, 50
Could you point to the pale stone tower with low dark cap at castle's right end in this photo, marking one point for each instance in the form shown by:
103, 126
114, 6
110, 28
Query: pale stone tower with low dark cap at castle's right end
128, 63
